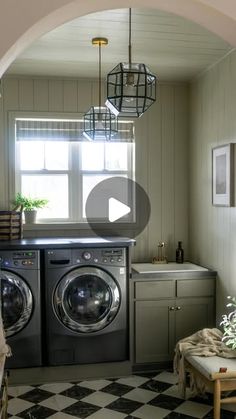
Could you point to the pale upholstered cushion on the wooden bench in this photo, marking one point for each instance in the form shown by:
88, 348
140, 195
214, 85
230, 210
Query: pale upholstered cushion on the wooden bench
210, 365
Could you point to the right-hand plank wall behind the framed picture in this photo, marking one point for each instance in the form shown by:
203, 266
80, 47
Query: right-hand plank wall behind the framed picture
213, 122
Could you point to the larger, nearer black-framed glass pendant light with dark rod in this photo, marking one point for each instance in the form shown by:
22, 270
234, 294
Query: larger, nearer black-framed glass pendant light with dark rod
131, 87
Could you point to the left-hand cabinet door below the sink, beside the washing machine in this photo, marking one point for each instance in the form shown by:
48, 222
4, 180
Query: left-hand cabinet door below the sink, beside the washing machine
154, 330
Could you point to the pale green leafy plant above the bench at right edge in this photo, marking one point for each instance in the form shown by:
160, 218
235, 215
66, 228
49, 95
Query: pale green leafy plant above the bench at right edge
229, 324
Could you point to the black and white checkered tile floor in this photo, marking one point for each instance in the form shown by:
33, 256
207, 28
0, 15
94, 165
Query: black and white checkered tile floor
145, 396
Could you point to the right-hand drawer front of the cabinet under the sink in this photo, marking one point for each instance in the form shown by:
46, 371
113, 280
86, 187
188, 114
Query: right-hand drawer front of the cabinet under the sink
195, 287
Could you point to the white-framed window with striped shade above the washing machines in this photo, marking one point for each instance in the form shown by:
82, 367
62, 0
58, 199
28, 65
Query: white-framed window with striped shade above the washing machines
50, 164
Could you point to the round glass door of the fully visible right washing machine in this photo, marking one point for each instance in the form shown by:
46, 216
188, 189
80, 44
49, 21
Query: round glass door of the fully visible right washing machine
86, 299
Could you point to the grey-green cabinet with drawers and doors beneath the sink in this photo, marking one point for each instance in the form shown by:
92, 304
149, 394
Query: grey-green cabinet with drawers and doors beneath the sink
168, 310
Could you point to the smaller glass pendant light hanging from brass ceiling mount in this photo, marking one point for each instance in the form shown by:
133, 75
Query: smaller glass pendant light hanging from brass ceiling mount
99, 122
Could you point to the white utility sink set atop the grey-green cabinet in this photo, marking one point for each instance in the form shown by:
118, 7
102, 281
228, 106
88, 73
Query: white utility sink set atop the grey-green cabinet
145, 268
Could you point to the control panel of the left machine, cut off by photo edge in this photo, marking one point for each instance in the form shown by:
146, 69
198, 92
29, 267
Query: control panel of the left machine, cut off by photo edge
25, 259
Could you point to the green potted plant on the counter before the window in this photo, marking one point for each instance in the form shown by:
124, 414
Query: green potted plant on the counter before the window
29, 206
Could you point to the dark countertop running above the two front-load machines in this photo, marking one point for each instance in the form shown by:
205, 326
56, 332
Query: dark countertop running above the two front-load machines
51, 243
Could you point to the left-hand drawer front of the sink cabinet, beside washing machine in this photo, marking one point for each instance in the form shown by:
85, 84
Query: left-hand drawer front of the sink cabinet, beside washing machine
154, 289
